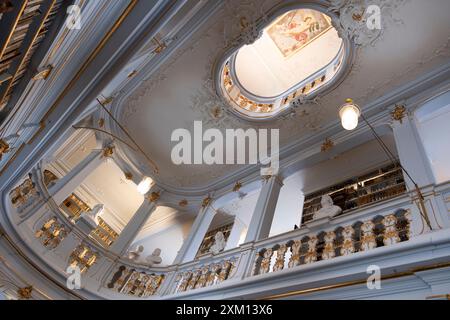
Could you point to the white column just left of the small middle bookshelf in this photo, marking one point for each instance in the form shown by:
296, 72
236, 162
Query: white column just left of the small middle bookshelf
199, 228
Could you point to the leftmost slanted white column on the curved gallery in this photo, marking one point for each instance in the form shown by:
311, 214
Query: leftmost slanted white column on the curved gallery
67, 184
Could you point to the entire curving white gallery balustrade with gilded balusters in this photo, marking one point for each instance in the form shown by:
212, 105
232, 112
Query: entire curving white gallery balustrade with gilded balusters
366, 229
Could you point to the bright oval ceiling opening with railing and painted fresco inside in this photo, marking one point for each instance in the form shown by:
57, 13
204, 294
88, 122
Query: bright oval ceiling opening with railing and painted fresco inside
296, 54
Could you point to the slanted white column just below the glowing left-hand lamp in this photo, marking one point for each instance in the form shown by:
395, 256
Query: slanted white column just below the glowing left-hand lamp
131, 230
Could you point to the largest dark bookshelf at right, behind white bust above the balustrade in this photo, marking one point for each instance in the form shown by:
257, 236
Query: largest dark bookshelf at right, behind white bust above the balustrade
374, 186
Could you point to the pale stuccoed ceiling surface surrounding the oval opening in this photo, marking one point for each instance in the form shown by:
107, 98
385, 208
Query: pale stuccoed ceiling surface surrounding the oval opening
413, 41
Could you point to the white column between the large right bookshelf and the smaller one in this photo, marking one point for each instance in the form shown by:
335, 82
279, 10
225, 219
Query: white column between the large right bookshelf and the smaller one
262, 217
